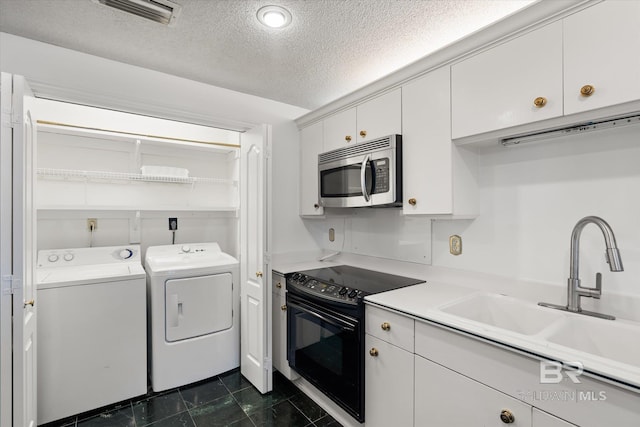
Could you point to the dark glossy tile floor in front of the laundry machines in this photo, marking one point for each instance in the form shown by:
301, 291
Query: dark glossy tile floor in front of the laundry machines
225, 400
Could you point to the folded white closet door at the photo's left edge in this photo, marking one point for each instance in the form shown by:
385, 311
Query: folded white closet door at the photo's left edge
18, 263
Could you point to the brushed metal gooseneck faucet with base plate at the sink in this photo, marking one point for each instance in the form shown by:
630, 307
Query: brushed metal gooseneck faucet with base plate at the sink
574, 290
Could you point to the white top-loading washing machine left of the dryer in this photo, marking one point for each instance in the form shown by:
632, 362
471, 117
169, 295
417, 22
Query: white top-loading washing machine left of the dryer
91, 329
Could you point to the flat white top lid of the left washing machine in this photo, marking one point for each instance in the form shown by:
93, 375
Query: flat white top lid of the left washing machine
57, 277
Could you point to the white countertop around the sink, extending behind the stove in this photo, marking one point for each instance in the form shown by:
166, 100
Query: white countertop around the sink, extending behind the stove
445, 286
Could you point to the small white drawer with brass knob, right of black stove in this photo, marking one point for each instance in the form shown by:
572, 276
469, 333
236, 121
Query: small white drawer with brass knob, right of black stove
391, 327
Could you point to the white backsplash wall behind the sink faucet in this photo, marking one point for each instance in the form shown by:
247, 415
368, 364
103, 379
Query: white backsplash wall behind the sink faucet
531, 198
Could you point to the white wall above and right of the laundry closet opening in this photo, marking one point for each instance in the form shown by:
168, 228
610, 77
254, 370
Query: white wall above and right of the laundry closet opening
63, 74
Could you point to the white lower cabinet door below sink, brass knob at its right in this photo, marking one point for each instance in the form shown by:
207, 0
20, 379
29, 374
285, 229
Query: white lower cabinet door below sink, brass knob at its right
446, 398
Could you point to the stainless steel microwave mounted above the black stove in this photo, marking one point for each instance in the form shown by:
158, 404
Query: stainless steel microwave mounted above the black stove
364, 174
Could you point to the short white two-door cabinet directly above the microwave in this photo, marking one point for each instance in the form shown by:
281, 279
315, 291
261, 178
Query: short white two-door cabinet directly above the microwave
378, 117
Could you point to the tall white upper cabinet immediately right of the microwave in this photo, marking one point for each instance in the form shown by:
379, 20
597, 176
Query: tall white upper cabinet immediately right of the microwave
438, 177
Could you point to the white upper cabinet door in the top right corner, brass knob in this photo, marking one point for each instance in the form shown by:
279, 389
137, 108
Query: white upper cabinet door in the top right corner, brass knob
601, 46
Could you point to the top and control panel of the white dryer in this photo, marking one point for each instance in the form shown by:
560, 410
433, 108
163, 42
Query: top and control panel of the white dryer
160, 260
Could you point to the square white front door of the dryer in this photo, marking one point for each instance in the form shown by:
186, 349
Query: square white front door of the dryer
196, 306
